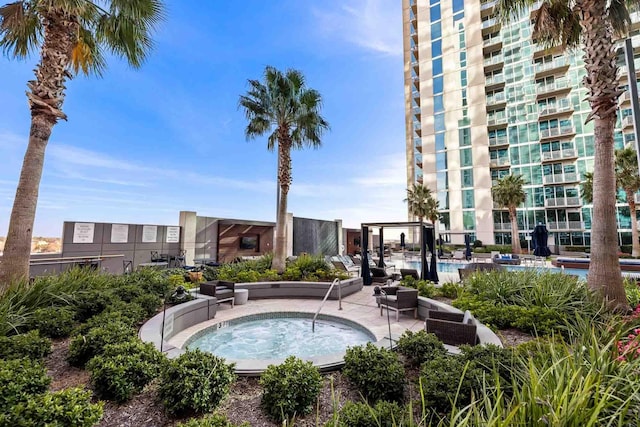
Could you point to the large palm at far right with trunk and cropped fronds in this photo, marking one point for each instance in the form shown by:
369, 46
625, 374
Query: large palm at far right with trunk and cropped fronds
591, 24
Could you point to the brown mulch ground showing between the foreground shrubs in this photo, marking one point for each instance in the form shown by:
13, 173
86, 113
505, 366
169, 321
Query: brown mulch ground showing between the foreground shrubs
243, 403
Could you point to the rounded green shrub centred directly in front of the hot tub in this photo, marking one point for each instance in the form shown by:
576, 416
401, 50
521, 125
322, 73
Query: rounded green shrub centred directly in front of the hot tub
290, 388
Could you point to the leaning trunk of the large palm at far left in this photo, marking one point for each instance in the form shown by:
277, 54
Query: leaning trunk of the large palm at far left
45, 99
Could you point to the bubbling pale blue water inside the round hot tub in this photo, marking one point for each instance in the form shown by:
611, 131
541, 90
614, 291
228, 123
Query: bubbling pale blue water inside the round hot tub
277, 338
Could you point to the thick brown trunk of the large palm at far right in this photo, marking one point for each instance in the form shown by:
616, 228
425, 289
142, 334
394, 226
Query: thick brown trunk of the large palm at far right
601, 82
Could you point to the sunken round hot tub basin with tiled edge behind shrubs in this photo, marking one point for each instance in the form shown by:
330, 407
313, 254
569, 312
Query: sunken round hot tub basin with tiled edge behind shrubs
255, 341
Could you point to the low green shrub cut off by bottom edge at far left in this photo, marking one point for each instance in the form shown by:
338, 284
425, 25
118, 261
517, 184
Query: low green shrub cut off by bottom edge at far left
66, 408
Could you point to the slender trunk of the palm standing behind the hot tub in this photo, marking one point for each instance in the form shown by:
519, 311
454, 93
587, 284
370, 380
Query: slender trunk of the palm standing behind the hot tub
284, 175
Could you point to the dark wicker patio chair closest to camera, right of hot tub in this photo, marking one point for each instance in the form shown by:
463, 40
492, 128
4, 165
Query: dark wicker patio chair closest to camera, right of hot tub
452, 328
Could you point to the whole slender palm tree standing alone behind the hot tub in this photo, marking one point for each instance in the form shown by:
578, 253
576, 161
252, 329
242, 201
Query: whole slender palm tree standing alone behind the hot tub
286, 107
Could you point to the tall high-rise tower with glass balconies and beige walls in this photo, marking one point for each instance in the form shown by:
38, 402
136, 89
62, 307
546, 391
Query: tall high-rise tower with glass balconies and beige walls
483, 100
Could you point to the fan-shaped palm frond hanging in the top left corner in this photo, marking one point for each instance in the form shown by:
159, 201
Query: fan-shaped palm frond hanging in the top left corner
20, 29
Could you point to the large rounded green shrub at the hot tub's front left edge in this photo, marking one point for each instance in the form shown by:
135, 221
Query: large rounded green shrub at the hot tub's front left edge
195, 382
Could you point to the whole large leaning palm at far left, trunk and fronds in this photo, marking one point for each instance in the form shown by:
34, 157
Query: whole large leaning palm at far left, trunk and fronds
72, 36
